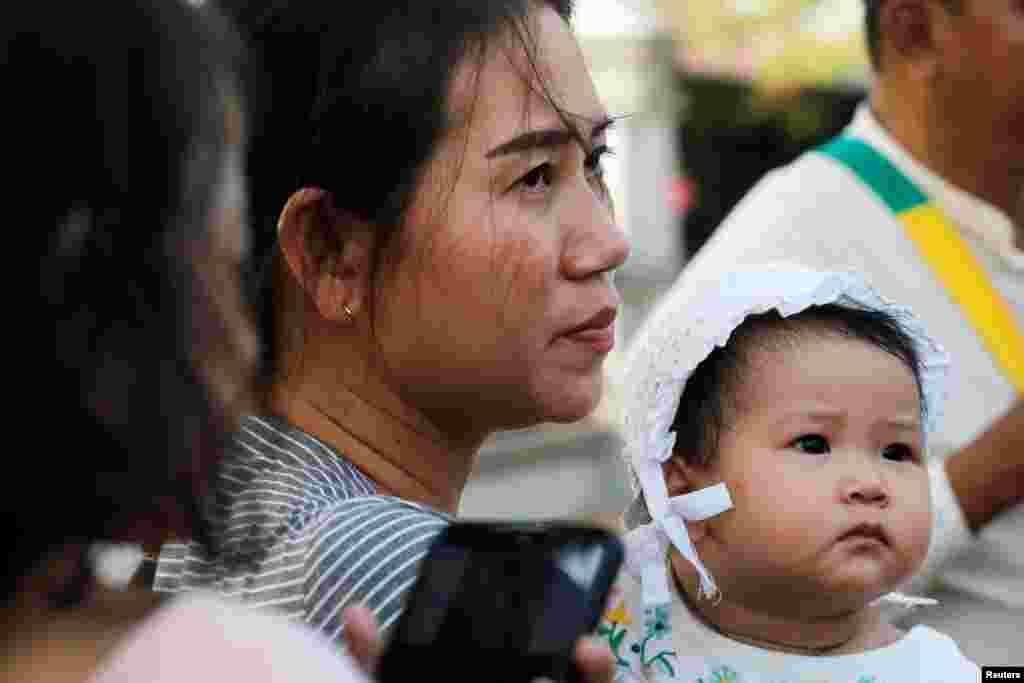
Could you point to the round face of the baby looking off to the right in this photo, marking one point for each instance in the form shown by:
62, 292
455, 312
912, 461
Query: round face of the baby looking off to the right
825, 465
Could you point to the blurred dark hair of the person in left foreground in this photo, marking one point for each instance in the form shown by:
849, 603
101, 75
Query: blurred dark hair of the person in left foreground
116, 142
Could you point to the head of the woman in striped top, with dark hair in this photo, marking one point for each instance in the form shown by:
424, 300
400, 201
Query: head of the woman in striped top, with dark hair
424, 261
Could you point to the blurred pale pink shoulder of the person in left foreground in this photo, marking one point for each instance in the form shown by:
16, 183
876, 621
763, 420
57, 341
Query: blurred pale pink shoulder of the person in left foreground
199, 637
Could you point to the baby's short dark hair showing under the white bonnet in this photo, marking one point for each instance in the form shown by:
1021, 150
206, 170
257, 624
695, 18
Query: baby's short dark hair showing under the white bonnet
709, 403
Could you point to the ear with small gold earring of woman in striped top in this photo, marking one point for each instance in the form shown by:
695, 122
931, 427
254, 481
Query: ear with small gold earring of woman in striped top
328, 253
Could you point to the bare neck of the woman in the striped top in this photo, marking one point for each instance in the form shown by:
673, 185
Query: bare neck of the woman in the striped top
381, 435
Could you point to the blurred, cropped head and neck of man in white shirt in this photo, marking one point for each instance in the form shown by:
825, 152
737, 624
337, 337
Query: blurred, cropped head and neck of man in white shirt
952, 89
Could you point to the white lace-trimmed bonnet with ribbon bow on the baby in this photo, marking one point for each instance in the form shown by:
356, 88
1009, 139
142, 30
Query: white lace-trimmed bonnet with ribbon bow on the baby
690, 323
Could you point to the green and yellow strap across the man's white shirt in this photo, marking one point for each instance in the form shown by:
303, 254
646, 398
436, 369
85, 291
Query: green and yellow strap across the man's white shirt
944, 249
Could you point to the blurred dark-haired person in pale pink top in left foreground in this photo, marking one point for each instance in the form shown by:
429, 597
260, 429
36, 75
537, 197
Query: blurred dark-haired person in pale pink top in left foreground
124, 140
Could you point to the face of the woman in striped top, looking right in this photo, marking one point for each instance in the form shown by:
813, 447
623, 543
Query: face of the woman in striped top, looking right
495, 307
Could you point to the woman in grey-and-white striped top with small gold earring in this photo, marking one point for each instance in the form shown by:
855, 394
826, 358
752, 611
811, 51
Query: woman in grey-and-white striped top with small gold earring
441, 270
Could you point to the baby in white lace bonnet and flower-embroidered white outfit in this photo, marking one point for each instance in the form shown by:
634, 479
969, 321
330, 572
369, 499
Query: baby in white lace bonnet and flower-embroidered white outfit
777, 426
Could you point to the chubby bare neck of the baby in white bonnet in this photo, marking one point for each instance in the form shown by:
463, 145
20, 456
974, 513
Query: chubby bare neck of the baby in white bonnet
843, 634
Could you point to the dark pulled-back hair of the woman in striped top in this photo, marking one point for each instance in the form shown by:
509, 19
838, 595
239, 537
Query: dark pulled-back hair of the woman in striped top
356, 102
